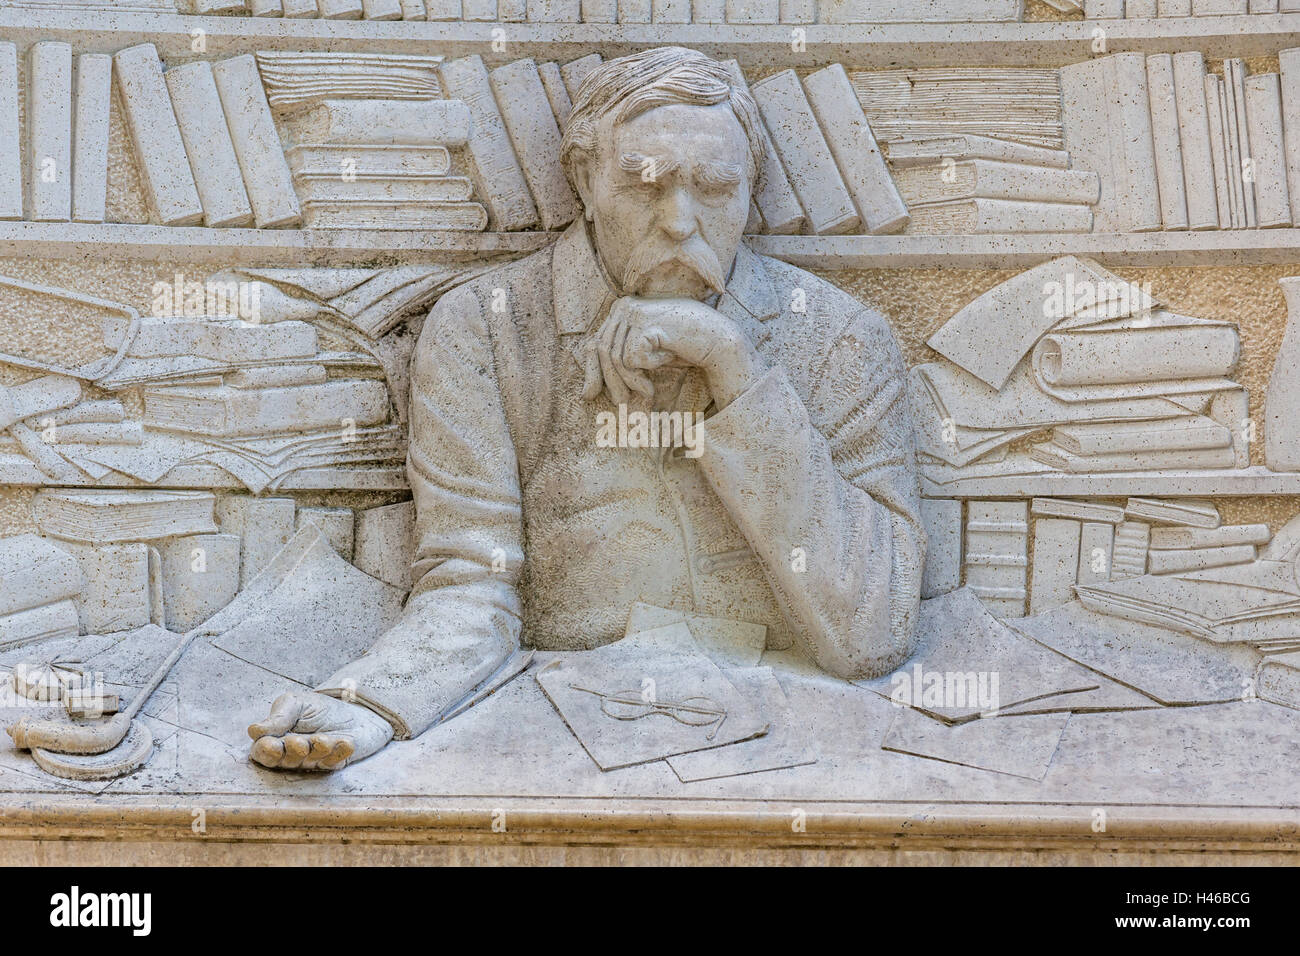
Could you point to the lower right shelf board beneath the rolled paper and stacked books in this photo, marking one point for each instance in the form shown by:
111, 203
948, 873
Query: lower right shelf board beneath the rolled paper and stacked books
1230, 483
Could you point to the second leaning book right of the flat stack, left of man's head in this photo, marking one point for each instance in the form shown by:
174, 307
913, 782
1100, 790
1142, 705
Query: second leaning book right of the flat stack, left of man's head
536, 139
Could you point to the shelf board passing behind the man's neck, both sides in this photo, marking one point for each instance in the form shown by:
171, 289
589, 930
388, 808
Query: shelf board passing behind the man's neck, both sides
302, 248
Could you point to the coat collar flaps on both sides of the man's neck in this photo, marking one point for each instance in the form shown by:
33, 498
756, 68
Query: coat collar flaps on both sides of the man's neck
583, 295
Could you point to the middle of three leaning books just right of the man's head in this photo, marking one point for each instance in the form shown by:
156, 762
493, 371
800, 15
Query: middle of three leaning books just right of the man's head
805, 153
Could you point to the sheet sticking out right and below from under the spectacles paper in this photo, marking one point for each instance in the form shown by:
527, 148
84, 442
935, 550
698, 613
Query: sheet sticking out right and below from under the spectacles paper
787, 745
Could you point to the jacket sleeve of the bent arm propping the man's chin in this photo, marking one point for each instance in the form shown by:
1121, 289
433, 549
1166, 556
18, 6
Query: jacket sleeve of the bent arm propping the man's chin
826, 492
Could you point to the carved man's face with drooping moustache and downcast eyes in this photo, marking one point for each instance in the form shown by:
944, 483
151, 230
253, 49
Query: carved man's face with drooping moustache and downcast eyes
669, 198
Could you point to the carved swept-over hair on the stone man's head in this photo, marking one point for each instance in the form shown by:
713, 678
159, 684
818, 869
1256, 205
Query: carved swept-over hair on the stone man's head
634, 85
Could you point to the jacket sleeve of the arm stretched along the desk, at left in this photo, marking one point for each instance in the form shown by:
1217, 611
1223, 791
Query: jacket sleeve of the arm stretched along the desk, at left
463, 617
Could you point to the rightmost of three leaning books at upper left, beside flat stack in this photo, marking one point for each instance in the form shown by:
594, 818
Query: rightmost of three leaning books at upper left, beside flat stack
253, 131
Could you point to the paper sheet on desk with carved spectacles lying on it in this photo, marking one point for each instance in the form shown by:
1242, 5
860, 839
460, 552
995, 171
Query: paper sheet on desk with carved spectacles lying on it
665, 673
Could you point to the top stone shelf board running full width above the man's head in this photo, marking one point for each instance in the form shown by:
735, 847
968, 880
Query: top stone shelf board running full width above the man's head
1047, 44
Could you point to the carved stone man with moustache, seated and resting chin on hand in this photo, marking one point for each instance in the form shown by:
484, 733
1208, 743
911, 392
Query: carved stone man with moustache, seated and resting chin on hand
798, 508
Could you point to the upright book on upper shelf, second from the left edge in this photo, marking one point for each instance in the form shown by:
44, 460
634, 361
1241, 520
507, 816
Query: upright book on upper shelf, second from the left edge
50, 132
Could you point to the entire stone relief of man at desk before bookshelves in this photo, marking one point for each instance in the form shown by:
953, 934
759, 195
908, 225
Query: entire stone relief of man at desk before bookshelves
833, 427
